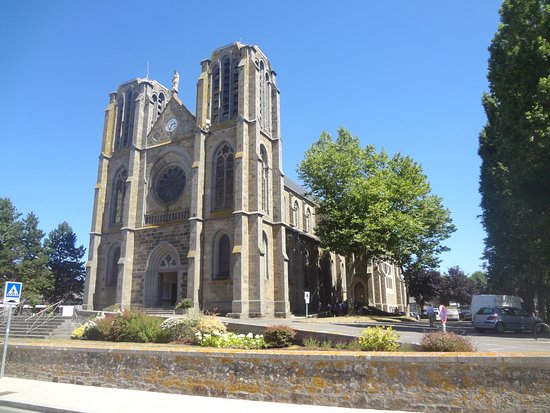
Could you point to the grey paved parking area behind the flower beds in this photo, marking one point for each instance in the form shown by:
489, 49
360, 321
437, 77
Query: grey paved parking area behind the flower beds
412, 333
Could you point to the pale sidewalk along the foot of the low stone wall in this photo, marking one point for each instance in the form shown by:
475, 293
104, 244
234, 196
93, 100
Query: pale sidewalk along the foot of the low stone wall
48, 397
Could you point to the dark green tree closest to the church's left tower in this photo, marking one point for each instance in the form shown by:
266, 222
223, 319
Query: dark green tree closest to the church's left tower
65, 262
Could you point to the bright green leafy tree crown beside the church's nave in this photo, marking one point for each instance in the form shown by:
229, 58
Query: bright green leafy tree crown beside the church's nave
374, 205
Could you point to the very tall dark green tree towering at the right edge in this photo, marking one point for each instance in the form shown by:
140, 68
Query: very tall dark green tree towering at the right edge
515, 152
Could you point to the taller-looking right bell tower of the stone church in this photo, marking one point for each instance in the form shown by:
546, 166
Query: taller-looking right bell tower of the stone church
242, 182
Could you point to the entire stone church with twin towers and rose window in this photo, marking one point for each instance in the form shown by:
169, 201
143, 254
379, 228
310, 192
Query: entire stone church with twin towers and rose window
197, 205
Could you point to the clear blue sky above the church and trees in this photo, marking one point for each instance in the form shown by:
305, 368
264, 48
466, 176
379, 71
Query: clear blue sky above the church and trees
404, 75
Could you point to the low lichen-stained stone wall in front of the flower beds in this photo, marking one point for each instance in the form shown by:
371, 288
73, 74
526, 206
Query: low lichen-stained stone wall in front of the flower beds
430, 382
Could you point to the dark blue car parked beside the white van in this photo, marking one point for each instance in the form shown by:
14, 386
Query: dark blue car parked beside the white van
503, 318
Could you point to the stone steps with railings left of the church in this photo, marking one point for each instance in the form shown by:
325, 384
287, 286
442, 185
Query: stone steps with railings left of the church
59, 327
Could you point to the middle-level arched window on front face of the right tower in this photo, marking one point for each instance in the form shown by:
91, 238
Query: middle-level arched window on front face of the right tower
223, 177
